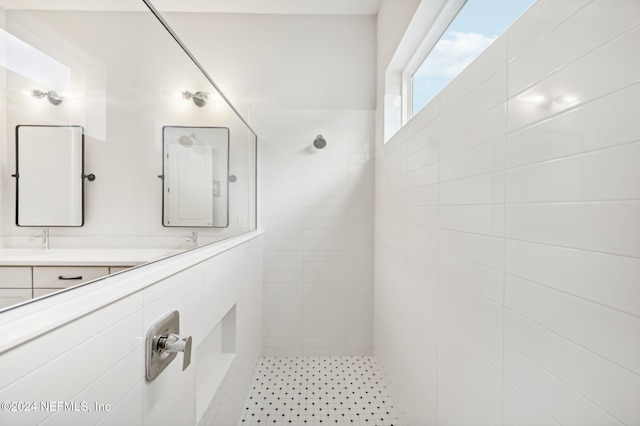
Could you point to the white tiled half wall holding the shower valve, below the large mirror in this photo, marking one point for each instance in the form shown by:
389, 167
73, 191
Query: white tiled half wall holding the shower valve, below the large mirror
88, 345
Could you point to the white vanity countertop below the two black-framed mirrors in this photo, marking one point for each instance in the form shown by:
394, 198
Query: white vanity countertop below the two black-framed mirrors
82, 257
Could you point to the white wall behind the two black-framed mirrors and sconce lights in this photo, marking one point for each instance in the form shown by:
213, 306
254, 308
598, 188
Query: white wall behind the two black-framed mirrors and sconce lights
123, 87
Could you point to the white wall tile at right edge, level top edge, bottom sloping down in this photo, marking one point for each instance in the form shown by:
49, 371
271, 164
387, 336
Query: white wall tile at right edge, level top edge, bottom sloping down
590, 226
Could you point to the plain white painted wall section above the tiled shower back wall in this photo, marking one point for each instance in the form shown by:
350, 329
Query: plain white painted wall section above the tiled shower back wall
285, 61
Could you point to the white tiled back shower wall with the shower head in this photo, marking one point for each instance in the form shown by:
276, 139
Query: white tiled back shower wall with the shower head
318, 219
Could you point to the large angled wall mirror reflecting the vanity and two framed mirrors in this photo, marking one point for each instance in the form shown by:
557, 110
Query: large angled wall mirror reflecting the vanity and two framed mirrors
132, 95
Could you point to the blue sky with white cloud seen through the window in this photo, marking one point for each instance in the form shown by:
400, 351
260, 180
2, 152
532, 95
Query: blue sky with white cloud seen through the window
476, 26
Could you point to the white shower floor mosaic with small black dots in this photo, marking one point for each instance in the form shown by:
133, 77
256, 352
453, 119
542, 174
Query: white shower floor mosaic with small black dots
342, 390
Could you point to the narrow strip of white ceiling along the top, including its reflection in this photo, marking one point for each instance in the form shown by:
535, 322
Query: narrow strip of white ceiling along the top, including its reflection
289, 7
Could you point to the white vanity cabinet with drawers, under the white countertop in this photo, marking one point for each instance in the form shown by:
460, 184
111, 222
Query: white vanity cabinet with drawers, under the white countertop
21, 283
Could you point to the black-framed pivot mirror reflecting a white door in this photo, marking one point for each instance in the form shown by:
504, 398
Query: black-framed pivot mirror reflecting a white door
195, 176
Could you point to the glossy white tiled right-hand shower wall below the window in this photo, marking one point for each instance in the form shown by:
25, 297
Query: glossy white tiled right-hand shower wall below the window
507, 285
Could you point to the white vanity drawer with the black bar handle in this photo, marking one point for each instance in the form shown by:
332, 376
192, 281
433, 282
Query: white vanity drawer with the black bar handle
66, 276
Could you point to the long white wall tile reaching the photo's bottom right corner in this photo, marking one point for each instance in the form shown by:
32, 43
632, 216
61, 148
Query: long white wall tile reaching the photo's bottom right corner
612, 388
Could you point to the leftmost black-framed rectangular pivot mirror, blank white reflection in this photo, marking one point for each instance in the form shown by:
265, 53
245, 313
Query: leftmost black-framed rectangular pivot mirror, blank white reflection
49, 193
